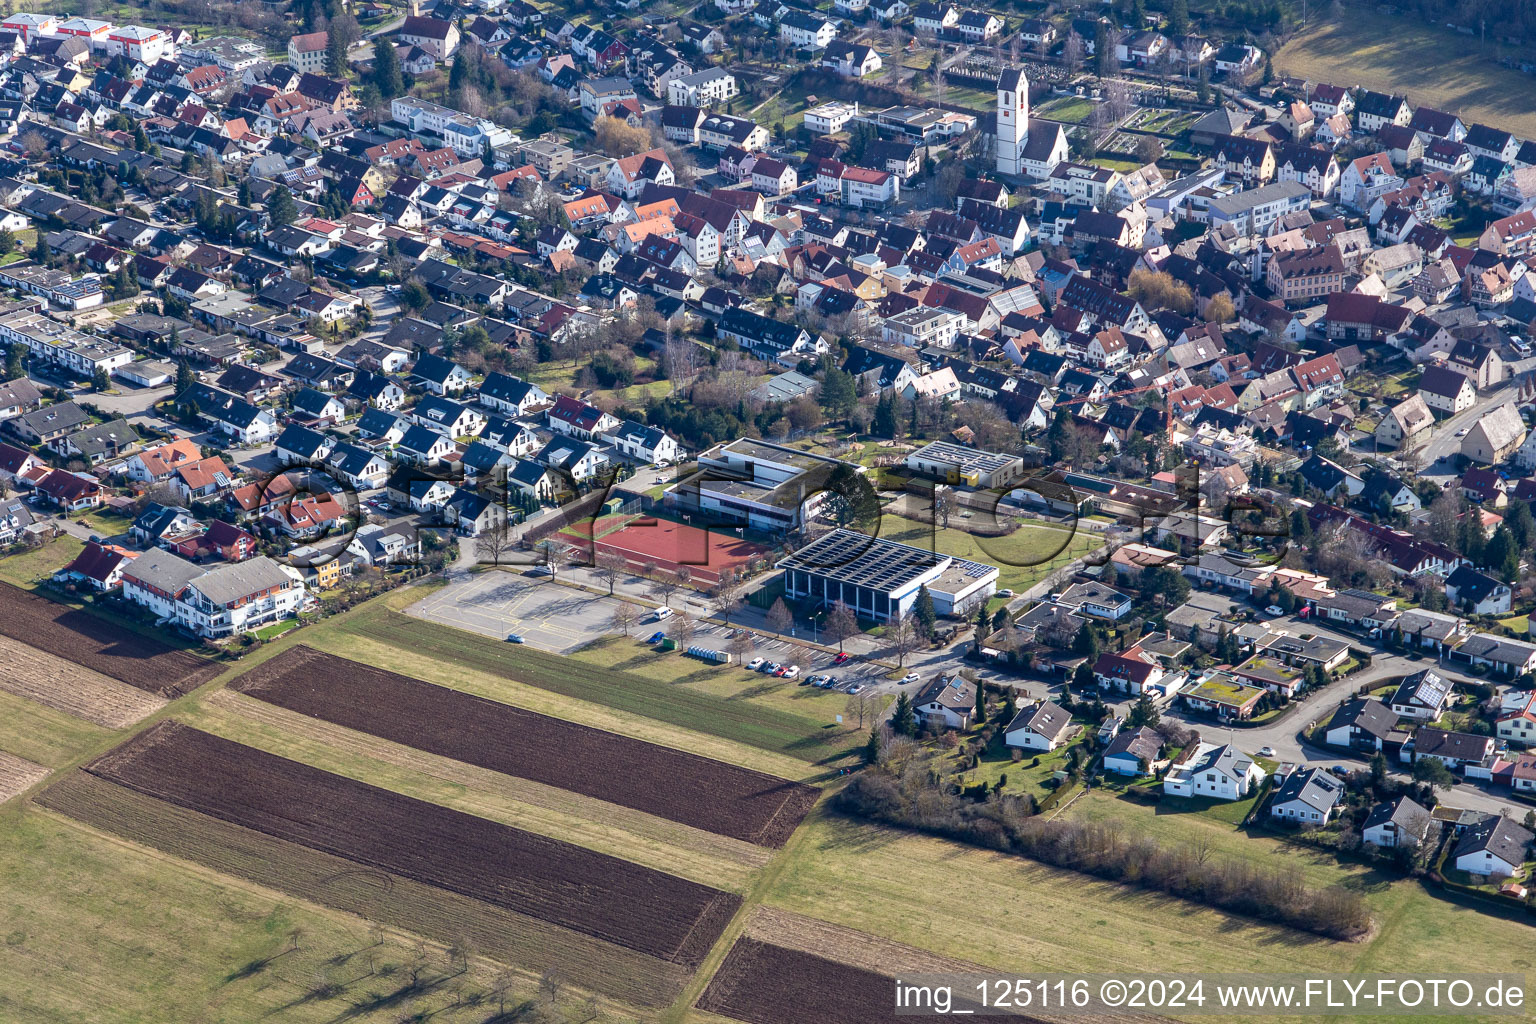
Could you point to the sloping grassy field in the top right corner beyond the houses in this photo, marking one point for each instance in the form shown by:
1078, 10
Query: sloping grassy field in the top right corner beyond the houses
1434, 67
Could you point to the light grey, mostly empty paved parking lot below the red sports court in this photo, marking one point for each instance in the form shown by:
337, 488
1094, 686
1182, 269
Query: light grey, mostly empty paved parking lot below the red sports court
548, 615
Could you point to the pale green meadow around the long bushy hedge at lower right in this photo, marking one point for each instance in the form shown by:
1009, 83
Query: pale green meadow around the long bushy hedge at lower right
1015, 914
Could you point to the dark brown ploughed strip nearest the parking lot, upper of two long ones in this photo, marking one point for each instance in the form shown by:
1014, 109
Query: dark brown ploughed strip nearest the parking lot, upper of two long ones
697, 791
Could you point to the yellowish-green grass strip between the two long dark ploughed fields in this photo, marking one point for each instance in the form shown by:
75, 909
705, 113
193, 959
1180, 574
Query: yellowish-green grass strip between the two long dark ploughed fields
644, 839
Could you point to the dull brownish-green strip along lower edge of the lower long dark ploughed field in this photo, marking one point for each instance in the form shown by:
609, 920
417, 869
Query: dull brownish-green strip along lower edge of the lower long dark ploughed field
302, 873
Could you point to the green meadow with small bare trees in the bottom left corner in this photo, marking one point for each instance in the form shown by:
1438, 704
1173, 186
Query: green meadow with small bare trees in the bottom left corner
104, 931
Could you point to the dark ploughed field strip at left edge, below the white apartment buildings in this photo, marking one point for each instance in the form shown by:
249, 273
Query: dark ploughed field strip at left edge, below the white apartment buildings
85, 639
